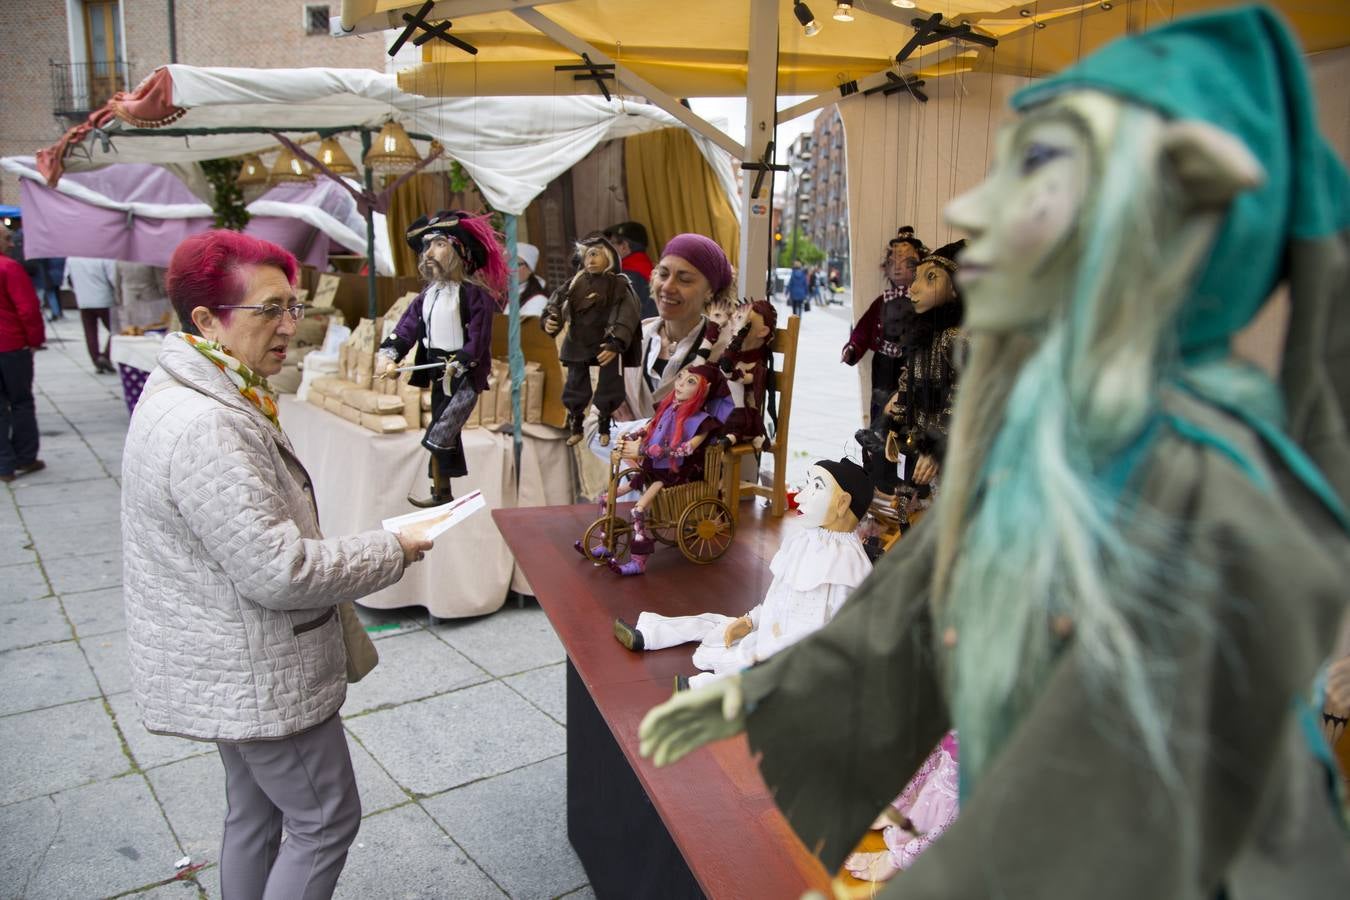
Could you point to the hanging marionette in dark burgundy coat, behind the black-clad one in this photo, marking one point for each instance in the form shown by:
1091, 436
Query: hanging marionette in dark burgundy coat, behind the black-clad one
884, 326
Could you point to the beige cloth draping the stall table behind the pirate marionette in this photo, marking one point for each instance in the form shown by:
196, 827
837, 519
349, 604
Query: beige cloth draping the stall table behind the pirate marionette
362, 478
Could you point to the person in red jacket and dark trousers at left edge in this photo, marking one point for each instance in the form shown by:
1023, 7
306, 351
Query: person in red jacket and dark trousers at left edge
21, 335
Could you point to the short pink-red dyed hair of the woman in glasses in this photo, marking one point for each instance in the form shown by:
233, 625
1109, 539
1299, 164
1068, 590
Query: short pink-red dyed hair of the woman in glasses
206, 271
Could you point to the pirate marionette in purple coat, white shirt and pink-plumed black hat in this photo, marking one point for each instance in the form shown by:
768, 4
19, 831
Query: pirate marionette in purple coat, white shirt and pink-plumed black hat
450, 323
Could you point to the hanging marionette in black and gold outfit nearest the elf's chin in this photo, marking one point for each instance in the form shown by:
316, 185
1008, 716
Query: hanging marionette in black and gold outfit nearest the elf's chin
905, 445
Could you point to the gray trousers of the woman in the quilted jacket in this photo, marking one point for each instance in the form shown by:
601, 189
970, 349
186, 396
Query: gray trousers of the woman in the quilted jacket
303, 785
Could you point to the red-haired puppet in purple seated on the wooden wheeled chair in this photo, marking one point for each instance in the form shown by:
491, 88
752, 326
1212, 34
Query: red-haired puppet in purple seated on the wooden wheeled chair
670, 450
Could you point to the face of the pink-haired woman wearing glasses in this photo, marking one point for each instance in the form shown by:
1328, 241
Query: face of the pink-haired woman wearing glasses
257, 338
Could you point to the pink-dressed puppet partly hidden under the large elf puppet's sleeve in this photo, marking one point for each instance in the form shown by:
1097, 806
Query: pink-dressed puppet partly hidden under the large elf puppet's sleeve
928, 808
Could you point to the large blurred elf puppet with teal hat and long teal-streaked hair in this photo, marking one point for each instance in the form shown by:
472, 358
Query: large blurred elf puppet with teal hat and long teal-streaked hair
1124, 596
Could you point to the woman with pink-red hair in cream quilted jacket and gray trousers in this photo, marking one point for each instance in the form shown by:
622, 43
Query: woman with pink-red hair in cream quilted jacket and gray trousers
233, 594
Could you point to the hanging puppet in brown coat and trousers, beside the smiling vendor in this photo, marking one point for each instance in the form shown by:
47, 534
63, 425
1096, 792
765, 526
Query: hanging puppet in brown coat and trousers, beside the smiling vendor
603, 318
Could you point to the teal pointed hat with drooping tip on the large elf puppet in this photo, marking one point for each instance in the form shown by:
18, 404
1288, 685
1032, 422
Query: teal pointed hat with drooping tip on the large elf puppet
1243, 72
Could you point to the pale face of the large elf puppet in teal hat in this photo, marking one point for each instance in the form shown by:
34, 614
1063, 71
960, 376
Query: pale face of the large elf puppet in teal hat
1021, 221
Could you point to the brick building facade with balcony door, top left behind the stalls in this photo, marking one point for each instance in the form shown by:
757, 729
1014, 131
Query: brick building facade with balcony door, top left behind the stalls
49, 83
